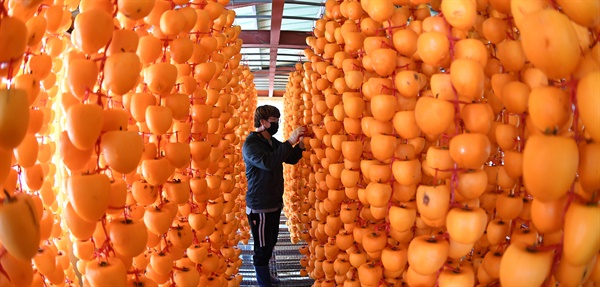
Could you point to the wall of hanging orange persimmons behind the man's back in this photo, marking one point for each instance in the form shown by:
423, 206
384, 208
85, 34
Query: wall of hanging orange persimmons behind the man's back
147, 105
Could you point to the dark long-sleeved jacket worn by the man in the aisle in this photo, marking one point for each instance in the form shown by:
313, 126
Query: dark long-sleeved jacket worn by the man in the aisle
264, 170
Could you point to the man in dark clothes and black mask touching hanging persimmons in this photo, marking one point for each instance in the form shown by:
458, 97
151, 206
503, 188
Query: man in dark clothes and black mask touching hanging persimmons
264, 156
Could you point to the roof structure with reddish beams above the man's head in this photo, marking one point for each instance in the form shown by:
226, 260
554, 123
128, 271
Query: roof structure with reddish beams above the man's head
274, 34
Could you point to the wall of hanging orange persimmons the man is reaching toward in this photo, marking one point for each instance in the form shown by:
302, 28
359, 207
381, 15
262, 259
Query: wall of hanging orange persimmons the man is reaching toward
455, 143
